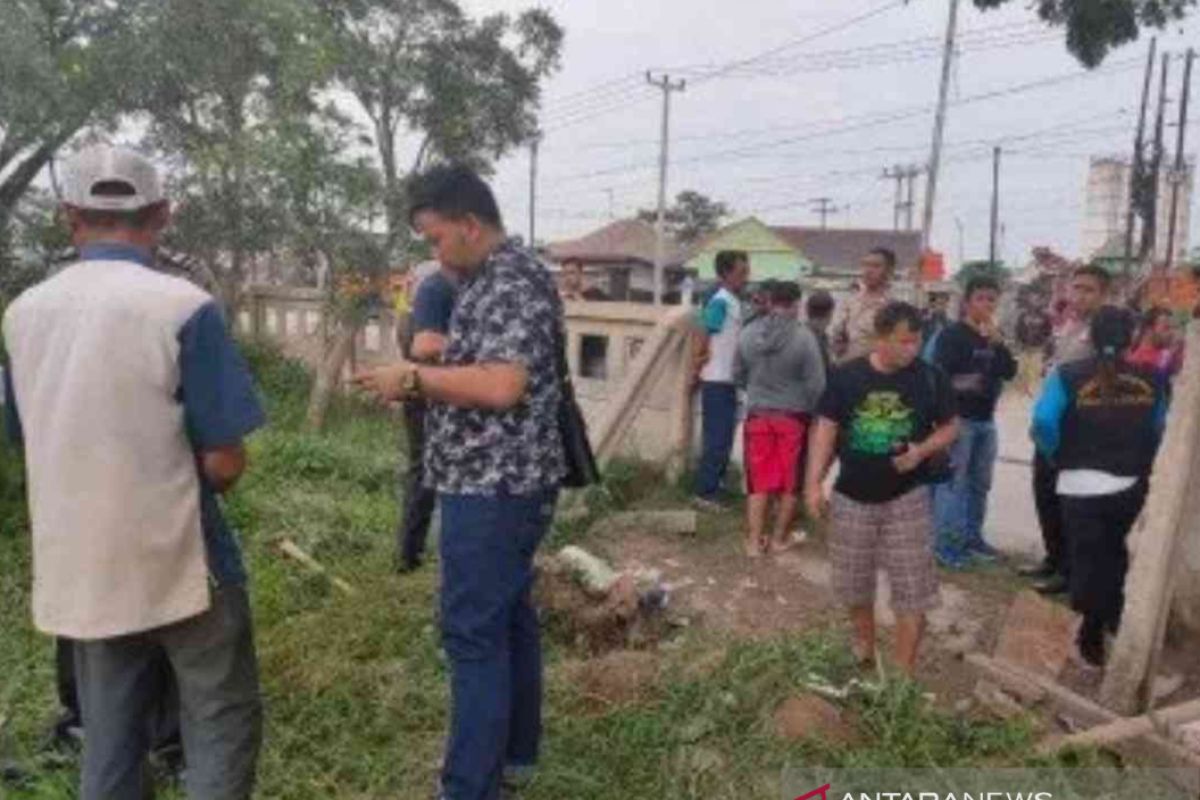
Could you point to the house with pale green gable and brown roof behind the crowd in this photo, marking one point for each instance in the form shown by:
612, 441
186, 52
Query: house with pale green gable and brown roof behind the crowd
800, 254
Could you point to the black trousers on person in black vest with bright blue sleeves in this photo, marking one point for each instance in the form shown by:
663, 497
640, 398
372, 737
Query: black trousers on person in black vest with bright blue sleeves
1099, 530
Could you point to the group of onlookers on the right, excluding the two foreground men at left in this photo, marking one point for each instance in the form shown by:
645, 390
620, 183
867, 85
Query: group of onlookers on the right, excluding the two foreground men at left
905, 402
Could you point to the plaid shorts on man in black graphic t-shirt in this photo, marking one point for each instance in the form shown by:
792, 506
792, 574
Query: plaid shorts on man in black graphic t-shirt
898, 537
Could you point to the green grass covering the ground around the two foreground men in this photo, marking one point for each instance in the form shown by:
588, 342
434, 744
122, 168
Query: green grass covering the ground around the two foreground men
356, 687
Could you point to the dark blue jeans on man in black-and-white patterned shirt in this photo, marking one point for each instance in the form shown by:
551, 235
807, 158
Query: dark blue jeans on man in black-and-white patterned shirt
490, 634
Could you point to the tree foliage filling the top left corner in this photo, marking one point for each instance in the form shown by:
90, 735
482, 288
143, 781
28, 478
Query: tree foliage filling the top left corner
64, 65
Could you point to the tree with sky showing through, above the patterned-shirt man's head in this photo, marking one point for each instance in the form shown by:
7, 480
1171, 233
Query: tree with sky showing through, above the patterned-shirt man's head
440, 86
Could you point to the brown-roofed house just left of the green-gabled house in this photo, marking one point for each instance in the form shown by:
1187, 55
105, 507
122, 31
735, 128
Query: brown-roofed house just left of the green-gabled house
619, 260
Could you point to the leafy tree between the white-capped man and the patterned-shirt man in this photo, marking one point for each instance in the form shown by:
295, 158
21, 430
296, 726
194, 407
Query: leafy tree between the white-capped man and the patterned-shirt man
236, 81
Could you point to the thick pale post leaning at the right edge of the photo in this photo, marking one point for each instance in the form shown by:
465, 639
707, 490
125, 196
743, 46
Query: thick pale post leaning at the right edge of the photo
1155, 545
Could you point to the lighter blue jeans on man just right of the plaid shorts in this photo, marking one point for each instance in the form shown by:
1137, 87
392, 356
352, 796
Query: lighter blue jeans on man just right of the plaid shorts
961, 506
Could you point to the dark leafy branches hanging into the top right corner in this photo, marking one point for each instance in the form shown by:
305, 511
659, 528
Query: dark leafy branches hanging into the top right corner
1097, 27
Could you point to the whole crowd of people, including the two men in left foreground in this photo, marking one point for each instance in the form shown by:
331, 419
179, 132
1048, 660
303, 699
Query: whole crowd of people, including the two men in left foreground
133, 404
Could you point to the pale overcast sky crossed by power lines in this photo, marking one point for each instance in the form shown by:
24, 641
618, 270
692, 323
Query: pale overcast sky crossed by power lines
788, 101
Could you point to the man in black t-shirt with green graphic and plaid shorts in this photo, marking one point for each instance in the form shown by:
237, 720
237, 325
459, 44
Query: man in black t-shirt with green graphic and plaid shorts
885, 417
